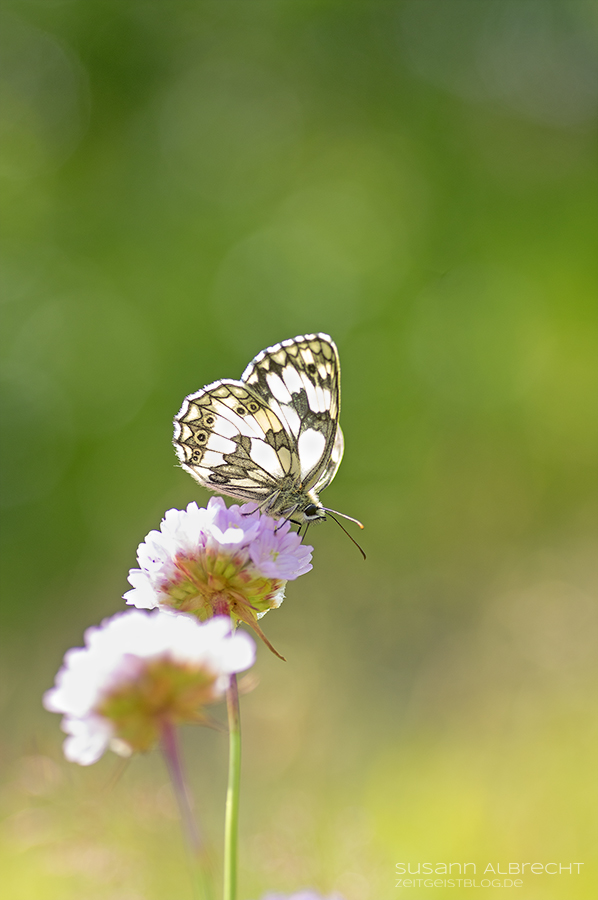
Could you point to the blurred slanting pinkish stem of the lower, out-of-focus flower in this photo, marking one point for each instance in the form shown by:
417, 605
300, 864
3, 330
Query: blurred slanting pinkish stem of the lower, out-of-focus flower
198, 860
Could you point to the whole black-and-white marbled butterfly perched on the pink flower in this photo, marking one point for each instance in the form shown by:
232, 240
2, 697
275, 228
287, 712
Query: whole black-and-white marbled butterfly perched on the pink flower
273, 437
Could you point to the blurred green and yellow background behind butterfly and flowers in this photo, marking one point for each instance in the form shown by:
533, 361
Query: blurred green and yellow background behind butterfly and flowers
185, 183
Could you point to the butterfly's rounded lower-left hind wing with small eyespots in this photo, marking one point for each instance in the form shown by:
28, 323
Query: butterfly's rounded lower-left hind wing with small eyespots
230, 440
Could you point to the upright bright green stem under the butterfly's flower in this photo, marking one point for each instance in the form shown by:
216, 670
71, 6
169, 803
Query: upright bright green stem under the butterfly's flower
232, 795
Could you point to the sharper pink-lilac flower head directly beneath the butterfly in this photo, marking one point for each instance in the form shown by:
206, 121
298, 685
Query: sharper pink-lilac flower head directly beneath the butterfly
218, 560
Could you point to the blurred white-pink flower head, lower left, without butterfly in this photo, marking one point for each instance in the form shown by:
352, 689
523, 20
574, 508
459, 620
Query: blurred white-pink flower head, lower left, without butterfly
139, 671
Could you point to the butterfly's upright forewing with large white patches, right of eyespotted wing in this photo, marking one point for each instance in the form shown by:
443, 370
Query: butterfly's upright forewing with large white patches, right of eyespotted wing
299, 380
